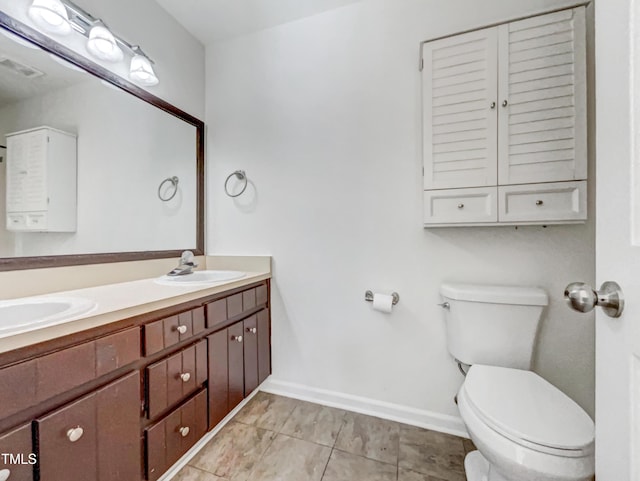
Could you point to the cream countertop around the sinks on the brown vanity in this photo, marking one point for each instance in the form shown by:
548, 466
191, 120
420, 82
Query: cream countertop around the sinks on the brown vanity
115, 302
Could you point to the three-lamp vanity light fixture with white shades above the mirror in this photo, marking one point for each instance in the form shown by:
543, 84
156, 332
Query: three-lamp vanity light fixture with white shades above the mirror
63, 16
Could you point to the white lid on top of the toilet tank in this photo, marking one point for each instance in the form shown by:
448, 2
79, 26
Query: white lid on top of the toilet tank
521, 295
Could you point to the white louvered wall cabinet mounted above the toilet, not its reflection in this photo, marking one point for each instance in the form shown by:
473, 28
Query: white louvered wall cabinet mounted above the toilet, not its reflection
504, 124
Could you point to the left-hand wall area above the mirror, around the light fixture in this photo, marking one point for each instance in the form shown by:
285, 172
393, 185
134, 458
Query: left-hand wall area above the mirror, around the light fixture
178, 55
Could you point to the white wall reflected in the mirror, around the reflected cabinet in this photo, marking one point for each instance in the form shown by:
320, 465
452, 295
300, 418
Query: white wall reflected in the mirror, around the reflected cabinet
126, 147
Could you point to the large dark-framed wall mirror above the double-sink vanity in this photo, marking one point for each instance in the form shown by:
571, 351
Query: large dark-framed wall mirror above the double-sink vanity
140, 160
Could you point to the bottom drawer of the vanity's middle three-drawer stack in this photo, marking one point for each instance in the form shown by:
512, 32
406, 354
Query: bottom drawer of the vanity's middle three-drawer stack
168, 439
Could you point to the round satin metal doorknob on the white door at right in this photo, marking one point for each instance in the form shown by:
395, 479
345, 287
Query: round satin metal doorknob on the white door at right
583, 298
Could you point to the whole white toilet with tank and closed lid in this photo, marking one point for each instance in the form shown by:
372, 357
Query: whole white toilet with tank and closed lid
525, 429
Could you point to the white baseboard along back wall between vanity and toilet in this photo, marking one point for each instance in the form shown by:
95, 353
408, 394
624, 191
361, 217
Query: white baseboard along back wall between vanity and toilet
394, 412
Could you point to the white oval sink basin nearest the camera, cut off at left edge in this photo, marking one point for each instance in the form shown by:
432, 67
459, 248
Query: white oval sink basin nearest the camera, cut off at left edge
26, 314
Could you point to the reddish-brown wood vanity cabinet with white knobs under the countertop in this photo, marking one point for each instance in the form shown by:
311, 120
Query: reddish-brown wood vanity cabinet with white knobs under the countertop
125, 402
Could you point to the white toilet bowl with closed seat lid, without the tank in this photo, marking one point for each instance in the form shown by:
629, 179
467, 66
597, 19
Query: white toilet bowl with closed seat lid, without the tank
525, 429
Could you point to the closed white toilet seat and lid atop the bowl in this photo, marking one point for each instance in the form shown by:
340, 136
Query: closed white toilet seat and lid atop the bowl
529, 411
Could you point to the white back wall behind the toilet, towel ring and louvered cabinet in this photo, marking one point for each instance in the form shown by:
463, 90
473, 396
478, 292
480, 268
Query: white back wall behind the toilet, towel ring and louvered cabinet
324, 116
